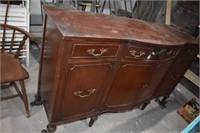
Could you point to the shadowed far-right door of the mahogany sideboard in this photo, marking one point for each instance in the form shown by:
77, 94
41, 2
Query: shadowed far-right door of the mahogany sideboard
176, 71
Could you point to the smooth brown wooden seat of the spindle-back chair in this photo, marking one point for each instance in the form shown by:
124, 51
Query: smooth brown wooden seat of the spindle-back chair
11, 69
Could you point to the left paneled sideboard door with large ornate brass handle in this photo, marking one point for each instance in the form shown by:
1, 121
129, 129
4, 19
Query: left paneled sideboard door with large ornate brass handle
83, 89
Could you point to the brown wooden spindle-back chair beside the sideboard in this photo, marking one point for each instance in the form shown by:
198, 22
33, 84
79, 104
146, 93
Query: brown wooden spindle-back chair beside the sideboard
11, 43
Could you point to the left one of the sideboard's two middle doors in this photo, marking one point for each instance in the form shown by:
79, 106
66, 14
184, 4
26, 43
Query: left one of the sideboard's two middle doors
130, 79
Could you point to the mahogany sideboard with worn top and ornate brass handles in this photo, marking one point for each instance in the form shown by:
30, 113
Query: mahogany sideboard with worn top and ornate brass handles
95, 63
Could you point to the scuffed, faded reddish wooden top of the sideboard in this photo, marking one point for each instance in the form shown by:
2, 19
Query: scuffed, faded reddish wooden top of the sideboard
78, 24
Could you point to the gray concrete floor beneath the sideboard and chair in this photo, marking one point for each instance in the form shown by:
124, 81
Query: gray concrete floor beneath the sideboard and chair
151, 120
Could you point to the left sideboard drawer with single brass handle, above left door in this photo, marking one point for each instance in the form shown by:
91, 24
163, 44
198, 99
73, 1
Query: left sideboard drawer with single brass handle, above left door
95, 50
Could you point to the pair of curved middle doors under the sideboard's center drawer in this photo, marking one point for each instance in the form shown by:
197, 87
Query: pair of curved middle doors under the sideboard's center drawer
135, 83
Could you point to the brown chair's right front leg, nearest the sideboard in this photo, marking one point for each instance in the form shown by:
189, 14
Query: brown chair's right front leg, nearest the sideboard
25, 99
